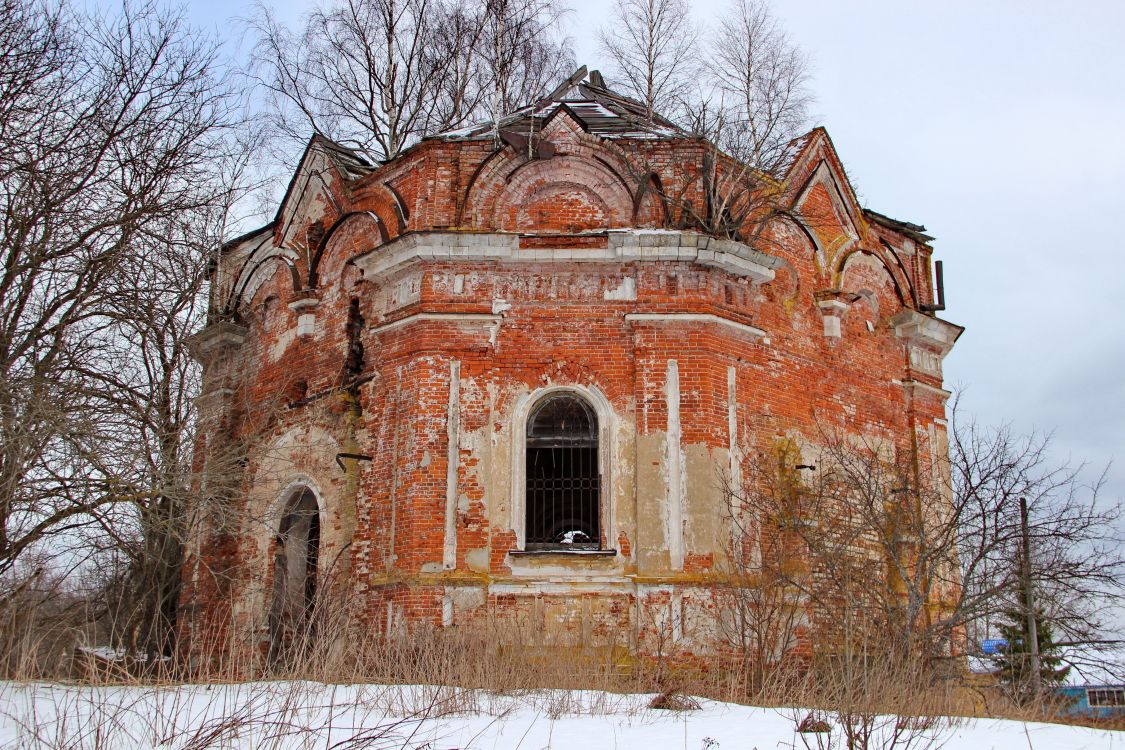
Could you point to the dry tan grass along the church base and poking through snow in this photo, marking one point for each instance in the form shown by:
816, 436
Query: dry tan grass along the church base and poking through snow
475, 668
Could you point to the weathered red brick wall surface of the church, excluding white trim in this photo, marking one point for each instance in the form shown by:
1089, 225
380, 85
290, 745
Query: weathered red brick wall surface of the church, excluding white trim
562, 330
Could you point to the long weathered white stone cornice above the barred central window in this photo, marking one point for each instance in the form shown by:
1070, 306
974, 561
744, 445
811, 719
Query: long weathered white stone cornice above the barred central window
628, 246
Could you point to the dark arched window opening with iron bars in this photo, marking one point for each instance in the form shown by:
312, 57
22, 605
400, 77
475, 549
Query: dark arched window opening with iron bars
563, 492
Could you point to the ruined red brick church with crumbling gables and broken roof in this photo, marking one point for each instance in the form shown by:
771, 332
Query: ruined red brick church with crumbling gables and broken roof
515, 373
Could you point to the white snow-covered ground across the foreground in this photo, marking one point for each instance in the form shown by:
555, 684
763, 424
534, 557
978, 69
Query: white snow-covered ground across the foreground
307, 716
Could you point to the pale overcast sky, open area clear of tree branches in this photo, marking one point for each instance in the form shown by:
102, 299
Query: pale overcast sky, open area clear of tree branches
1001, 126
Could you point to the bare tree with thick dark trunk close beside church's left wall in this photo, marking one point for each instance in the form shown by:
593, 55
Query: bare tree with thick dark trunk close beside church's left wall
145, 383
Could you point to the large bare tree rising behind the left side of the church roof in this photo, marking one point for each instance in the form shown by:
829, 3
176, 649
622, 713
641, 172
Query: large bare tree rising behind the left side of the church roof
366, 74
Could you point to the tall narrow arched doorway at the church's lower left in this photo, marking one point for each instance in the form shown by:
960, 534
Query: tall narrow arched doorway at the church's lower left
295, 574
